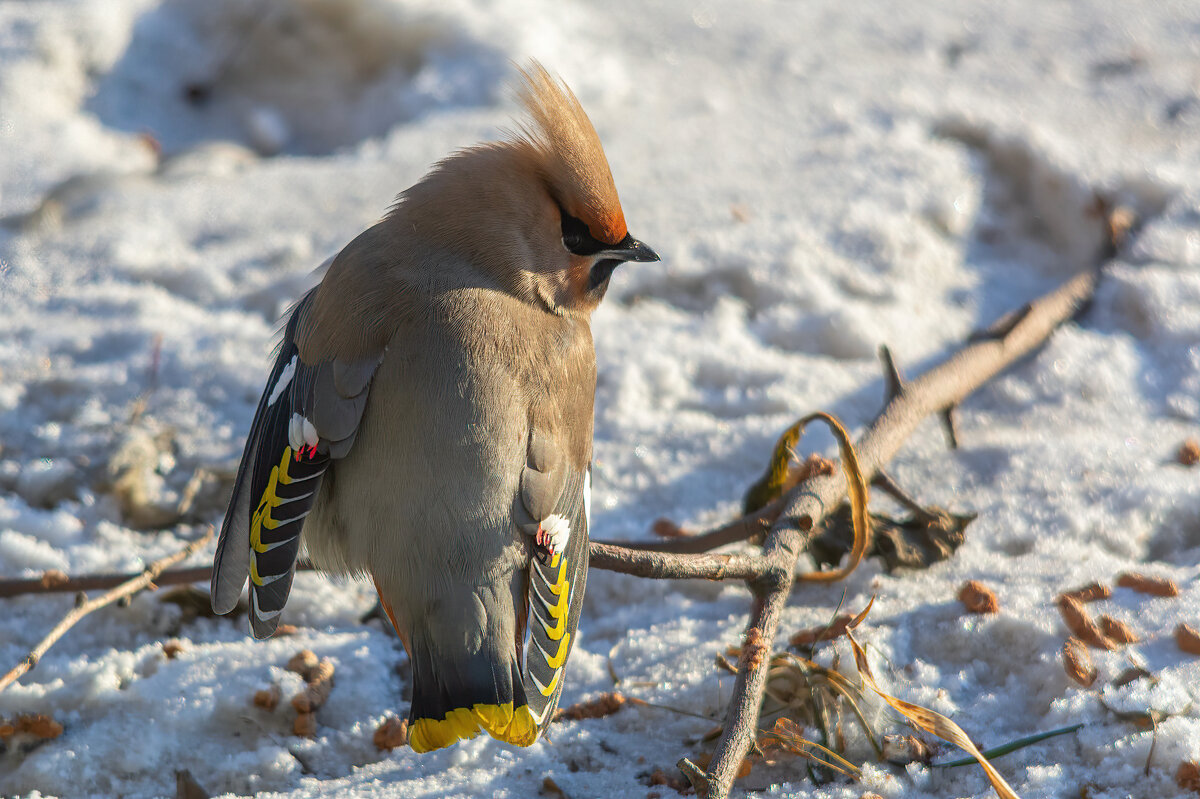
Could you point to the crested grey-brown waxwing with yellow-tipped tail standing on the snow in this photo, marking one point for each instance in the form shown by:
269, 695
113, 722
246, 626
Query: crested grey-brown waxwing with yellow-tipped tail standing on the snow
428, 423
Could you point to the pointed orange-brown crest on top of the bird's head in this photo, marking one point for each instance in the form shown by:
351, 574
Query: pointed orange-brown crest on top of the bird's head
571, 154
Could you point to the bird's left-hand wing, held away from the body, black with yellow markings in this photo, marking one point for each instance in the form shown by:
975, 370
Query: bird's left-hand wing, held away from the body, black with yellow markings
309, 416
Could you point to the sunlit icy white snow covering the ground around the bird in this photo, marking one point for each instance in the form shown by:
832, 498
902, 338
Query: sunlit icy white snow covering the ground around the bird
819, 178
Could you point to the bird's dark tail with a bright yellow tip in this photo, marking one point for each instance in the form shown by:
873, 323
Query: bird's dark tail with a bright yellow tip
455, 696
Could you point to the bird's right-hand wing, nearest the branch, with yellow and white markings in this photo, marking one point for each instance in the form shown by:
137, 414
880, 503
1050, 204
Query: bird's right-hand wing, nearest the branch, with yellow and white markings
554, 507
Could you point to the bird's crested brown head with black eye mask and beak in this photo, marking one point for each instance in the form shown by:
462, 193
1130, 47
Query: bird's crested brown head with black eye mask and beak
537, 213
